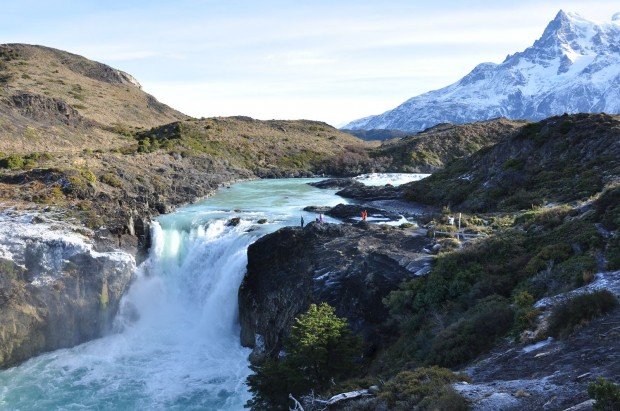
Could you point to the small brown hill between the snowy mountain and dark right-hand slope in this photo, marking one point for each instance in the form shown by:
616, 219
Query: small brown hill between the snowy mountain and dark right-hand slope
431, 149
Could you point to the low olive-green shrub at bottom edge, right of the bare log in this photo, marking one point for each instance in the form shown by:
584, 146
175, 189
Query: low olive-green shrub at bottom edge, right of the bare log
424, 389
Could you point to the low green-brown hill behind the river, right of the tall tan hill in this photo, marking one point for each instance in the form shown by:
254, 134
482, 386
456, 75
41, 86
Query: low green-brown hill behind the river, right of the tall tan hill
267, 148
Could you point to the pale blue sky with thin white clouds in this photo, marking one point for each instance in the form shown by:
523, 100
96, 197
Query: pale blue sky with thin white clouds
325, 60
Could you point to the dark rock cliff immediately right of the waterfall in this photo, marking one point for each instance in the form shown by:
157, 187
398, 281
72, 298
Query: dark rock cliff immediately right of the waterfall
351, 267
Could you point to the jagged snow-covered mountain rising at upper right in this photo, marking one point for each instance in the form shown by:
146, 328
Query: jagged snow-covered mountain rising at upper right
573, 67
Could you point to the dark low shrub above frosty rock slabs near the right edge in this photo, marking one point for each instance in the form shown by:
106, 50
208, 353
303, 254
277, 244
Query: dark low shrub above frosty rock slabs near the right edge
579, 310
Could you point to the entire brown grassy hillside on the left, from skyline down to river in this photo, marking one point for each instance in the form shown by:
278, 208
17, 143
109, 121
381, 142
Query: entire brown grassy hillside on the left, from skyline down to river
83, 137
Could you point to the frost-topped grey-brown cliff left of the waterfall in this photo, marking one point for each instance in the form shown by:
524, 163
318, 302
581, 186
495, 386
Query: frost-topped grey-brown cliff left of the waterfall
56, 290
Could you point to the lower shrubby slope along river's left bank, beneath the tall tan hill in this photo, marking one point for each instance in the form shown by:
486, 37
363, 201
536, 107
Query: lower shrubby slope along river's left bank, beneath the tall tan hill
153, 170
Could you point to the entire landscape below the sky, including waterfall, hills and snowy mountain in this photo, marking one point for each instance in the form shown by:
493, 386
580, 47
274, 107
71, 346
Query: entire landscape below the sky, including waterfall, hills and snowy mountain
459, 252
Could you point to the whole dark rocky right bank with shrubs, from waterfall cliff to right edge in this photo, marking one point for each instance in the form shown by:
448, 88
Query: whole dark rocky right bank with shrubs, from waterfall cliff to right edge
483, 306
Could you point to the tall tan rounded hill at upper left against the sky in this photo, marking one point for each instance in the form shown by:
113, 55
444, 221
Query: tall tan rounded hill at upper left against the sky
52, 100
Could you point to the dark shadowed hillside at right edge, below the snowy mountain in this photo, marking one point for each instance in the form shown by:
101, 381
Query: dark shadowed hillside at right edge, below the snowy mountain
560, 159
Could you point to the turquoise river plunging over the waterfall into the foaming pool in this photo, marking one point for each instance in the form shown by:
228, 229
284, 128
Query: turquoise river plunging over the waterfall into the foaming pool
176, 340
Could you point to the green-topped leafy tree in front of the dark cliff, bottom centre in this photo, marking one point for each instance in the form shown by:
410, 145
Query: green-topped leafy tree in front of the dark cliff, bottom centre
320, 349
